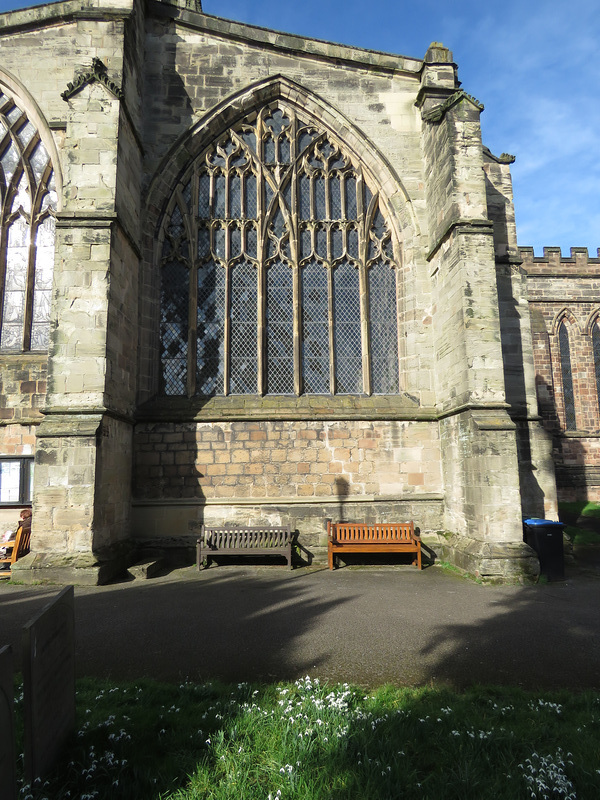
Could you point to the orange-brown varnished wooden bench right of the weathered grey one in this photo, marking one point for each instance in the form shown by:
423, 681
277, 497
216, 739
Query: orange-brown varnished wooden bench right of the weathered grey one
350, 537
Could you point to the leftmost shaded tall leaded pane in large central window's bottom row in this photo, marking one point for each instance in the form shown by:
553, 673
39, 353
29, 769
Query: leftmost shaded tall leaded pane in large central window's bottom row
174, 326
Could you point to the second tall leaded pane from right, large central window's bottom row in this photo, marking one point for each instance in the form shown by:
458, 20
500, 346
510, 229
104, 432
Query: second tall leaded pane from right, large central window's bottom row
347, 330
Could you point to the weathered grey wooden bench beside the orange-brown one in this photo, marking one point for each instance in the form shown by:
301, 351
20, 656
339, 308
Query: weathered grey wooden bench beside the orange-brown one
233, 540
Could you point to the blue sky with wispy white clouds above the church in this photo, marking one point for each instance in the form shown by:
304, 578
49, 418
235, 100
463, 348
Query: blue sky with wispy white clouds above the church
534, 65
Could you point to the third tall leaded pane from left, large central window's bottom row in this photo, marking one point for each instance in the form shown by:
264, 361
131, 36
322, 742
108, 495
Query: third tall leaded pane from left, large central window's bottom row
244, 352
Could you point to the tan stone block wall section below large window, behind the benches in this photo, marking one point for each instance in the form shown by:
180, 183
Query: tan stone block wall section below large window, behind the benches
299, 472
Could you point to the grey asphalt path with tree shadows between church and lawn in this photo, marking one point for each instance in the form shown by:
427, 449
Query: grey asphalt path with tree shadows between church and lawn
368, 626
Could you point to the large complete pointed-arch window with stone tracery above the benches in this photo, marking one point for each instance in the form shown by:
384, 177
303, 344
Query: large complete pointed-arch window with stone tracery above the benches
278, 272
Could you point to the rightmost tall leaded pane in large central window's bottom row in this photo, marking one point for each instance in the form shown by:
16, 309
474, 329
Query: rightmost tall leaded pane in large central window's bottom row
383, 329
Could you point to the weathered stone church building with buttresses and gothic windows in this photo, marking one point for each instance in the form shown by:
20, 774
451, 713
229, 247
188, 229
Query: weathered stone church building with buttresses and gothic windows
251, 277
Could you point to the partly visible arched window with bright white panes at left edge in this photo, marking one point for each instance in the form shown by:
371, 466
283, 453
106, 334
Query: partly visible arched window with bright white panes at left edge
27, 206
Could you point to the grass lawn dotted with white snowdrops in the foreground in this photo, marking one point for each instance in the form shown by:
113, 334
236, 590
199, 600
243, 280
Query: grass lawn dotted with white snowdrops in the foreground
307, 740
